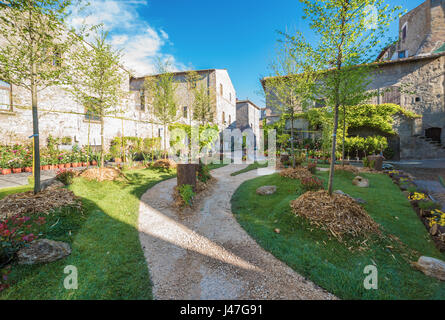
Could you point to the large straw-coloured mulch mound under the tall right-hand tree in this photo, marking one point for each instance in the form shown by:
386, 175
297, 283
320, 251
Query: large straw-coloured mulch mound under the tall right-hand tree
337, 214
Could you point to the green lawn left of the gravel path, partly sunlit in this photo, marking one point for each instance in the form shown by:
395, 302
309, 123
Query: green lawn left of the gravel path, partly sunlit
105, 243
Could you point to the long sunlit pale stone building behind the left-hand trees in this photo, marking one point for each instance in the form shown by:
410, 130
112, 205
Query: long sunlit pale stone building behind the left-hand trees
60, 116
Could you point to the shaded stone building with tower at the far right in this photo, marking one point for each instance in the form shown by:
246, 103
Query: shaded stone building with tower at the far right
410, 73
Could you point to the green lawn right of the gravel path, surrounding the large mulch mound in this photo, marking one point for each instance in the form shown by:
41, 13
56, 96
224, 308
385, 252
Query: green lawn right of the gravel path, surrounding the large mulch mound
329, 263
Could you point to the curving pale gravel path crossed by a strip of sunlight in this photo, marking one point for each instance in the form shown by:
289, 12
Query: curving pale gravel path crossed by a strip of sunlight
207, 255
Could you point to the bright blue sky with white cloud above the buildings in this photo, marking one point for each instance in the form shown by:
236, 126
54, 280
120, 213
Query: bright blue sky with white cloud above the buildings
239, 36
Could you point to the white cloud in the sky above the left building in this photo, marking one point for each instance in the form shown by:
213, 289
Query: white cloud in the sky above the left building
140, 43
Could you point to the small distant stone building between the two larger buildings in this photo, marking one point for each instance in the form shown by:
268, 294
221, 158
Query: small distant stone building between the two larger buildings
248, 116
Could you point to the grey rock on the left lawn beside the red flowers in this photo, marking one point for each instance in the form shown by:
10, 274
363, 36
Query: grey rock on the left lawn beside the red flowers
43, 251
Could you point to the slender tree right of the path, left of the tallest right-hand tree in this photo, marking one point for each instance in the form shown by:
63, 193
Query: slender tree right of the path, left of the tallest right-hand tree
291, 83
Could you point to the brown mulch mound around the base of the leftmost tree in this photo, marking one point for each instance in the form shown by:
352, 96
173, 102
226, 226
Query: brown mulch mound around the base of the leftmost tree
43, 202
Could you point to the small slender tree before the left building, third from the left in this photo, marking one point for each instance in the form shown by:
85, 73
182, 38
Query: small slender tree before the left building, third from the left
161, 91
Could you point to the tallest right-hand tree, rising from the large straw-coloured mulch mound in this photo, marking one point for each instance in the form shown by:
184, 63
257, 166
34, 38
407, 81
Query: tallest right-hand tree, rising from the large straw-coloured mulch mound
348, 33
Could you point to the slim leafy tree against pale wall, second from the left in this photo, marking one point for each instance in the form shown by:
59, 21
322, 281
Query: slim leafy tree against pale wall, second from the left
96, 81
